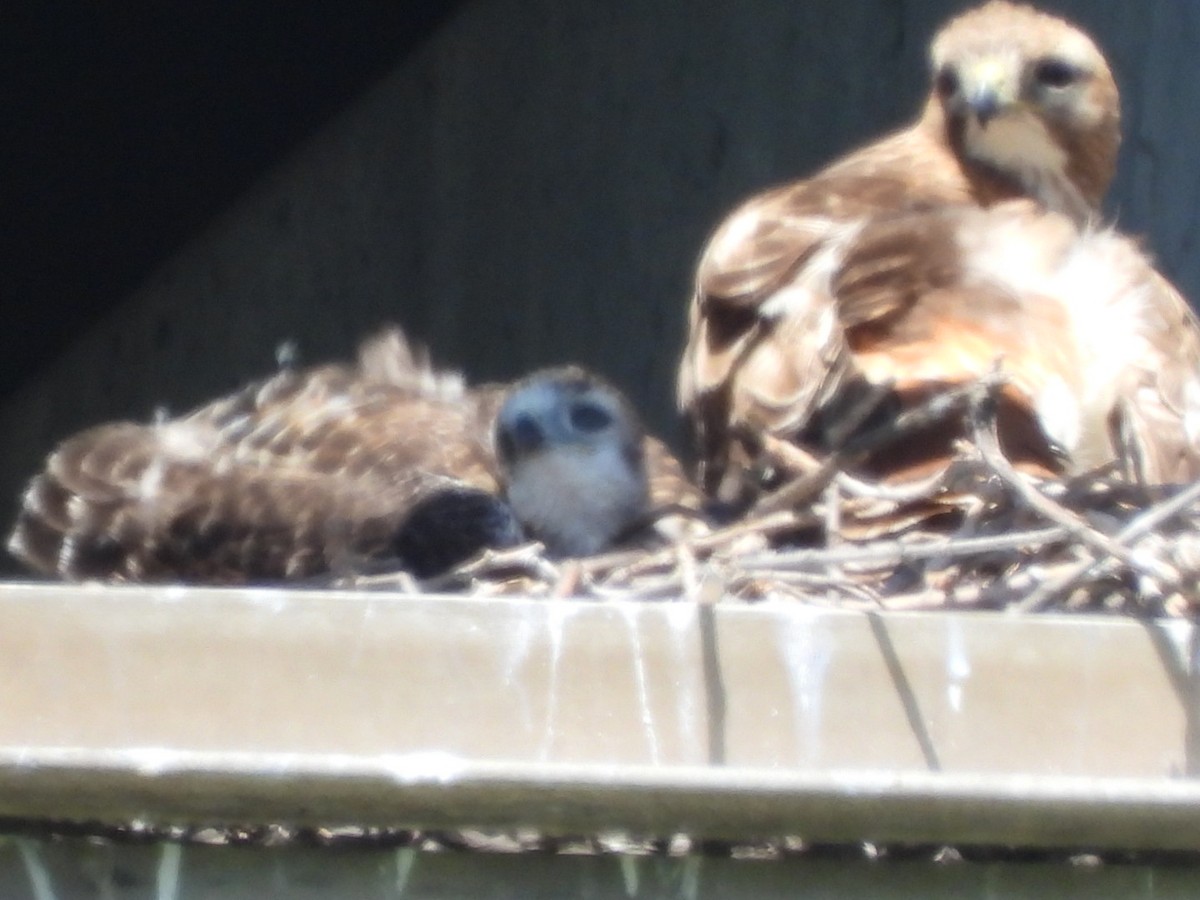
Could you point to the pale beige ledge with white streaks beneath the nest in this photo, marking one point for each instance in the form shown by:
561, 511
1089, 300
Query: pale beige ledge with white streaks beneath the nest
181, 705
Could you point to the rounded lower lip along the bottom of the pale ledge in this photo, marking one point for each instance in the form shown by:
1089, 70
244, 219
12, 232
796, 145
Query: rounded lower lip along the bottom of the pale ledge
706, 803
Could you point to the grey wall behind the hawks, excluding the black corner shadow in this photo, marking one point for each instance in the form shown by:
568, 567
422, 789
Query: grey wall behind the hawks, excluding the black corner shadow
536, 183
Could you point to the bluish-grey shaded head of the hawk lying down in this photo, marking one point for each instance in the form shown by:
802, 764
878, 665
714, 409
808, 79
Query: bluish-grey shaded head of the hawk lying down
572, 452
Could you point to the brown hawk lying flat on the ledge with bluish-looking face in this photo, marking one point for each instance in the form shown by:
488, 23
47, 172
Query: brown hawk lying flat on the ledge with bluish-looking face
389, 461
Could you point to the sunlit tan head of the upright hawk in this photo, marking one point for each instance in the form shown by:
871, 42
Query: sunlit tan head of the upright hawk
1029, 98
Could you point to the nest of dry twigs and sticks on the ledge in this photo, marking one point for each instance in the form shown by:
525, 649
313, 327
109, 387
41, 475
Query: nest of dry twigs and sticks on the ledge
1102, 541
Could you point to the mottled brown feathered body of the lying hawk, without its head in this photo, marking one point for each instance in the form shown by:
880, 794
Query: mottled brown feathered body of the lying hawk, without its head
283, 479
